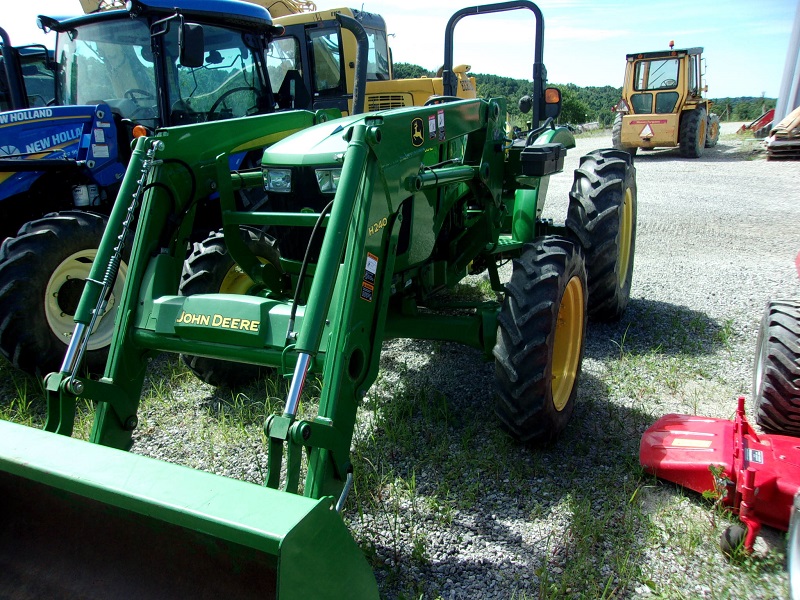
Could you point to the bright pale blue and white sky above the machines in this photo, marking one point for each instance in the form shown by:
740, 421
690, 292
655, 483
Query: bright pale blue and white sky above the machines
745, 41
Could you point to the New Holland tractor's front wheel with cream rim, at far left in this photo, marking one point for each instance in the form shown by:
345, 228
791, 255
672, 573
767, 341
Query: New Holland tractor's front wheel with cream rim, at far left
42, 275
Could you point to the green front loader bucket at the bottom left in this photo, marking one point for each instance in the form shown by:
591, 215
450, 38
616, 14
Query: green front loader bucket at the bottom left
85, 521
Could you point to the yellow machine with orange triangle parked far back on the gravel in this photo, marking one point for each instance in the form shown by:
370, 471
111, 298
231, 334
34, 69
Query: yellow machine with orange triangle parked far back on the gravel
662, 104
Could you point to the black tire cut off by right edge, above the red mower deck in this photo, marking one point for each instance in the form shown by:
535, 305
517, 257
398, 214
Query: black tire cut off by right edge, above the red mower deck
776, 374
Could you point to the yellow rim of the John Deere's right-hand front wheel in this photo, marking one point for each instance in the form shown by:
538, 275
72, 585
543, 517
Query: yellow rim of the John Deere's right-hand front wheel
567, 344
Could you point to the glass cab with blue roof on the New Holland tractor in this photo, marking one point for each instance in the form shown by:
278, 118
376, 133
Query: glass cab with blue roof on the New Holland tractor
165, 66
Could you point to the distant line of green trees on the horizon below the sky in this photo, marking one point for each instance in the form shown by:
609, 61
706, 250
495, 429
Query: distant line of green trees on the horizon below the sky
585, 104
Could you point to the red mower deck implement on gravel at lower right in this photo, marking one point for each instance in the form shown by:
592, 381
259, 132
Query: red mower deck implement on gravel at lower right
759, 473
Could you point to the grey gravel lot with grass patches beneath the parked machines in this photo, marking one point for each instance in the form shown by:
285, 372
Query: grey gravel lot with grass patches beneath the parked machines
465, 513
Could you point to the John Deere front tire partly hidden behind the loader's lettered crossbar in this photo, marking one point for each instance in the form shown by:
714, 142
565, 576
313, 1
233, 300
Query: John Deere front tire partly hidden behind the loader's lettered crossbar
210, 269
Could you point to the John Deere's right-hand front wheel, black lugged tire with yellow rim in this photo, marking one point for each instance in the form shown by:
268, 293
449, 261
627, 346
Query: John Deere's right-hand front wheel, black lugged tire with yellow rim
540, 339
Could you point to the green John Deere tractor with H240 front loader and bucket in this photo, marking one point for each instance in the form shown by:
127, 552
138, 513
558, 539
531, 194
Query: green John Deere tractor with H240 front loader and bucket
368, 219
